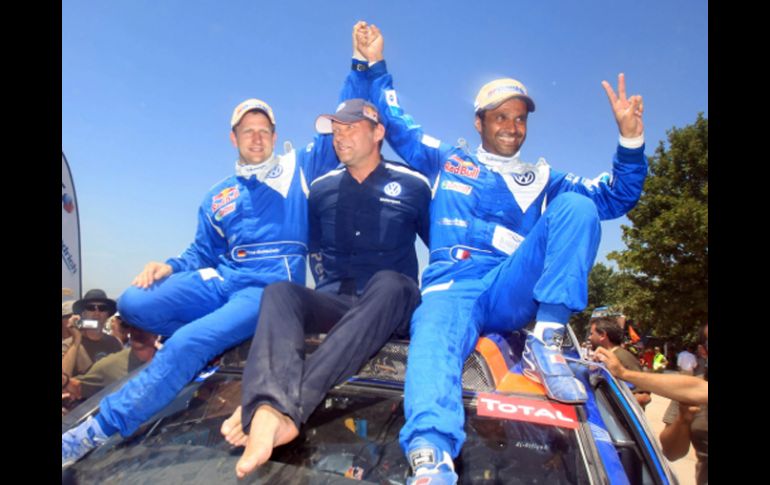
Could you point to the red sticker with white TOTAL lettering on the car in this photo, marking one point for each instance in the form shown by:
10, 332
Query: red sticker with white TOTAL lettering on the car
533, 411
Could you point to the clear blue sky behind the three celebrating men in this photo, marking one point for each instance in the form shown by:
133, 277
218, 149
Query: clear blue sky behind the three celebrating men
148, 88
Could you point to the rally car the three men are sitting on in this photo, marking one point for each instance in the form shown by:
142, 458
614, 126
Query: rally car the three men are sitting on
515, 434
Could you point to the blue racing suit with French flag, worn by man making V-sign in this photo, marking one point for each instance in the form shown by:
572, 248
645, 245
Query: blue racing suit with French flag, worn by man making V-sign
505, 245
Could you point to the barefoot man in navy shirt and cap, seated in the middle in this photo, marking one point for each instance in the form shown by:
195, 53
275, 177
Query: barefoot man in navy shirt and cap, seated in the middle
364, 218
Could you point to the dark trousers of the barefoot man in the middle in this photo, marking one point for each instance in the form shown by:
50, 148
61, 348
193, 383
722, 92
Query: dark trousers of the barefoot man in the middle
277, 372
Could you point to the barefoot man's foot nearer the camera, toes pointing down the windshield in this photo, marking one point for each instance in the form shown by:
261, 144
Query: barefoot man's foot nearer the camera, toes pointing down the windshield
269, 429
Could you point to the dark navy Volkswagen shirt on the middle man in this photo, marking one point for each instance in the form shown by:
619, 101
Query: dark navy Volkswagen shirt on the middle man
357, 229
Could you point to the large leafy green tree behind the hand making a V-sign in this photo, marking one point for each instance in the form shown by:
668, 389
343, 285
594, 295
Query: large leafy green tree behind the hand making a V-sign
664, 270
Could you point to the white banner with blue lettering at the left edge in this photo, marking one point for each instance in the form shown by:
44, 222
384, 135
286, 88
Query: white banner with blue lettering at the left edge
71, 273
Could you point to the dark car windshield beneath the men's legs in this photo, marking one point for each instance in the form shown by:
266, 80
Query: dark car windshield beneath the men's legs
352, 435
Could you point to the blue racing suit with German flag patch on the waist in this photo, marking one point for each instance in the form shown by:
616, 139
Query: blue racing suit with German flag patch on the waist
250, 234
